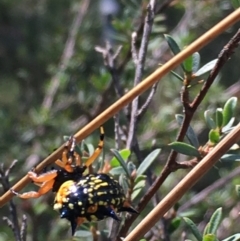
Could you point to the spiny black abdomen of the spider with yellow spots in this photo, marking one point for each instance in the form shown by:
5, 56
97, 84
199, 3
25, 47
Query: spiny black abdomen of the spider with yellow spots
93, 197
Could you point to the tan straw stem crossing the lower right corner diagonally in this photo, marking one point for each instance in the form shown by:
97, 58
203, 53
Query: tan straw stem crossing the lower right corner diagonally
180, 189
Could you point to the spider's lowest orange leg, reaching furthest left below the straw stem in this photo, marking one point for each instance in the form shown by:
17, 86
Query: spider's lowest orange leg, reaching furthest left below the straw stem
46, 186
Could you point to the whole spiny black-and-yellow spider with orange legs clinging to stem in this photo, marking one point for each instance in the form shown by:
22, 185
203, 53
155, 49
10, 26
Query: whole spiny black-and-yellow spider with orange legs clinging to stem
80, 198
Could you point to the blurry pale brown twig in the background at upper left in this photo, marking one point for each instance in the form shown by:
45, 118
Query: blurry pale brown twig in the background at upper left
66, 55
